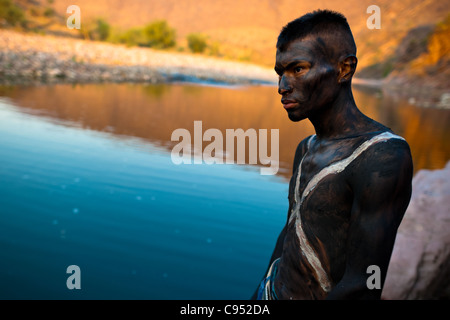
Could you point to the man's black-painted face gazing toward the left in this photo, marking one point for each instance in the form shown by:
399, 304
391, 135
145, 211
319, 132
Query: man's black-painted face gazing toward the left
308, 77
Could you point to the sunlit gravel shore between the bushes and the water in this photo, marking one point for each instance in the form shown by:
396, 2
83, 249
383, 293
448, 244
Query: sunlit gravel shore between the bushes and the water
37, 58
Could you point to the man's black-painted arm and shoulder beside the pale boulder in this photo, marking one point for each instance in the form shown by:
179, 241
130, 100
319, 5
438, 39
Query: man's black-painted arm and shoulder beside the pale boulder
381, 182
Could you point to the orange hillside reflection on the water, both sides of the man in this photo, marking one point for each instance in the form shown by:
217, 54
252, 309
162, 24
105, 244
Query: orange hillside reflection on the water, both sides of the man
152, 112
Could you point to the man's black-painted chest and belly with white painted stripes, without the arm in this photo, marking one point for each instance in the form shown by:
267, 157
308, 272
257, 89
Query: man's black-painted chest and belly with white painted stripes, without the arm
321, 199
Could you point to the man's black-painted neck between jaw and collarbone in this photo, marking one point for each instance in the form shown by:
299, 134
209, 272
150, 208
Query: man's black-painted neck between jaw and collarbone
341, 118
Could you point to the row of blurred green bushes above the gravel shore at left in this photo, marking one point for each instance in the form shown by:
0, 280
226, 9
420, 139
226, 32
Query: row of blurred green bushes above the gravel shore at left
37, 16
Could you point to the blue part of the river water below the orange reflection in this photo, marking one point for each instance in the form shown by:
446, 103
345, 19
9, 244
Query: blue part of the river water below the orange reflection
138, 226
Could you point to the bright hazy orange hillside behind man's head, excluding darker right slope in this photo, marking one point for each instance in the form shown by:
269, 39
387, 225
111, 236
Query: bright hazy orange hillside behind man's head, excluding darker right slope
247, 30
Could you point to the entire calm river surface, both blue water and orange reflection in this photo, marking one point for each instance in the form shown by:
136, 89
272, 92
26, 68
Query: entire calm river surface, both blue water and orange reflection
87, 179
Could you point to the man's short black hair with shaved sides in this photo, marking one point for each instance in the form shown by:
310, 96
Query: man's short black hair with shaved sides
315, 23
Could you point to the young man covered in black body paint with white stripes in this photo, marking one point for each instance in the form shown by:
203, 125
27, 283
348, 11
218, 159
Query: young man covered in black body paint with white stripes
351, 181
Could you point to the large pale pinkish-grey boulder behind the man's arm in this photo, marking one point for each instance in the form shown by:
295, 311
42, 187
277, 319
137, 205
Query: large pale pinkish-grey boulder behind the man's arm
420, 262
